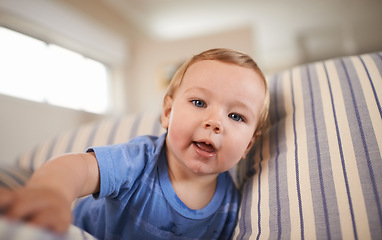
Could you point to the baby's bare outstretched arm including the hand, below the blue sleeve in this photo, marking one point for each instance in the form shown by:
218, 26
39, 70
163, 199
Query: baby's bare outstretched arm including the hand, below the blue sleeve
47, 197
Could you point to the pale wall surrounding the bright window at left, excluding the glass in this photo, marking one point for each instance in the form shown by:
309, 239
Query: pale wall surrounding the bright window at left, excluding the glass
24, 124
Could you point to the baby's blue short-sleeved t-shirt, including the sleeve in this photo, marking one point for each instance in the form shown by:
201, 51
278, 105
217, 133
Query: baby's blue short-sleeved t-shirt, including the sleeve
137, 201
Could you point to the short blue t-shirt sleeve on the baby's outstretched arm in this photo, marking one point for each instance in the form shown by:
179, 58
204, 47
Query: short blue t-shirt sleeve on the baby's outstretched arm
121, 165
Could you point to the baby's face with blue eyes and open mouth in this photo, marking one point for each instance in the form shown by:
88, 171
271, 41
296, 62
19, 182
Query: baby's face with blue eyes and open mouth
213, 115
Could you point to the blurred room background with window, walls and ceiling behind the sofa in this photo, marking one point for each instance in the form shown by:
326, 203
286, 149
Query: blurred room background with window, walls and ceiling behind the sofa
68, 62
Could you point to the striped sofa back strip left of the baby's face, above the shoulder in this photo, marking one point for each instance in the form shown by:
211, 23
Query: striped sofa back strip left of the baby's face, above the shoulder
105, 132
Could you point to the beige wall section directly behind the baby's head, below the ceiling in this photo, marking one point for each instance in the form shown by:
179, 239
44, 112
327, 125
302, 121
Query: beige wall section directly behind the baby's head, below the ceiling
150, 56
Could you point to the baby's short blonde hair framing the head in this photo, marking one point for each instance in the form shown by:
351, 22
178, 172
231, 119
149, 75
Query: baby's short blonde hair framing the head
231, 57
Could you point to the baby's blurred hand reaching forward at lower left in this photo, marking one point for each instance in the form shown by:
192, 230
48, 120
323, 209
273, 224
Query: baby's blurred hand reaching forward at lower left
43, 207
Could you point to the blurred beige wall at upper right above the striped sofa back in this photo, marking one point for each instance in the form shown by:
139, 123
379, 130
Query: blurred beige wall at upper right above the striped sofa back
295, 32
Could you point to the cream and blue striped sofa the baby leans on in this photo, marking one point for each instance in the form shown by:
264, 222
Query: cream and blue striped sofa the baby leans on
315, 173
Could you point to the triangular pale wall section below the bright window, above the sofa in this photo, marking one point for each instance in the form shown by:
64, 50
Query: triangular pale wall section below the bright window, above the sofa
25, 124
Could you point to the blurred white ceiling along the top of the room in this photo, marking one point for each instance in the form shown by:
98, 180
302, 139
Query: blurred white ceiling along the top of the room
174, 19
